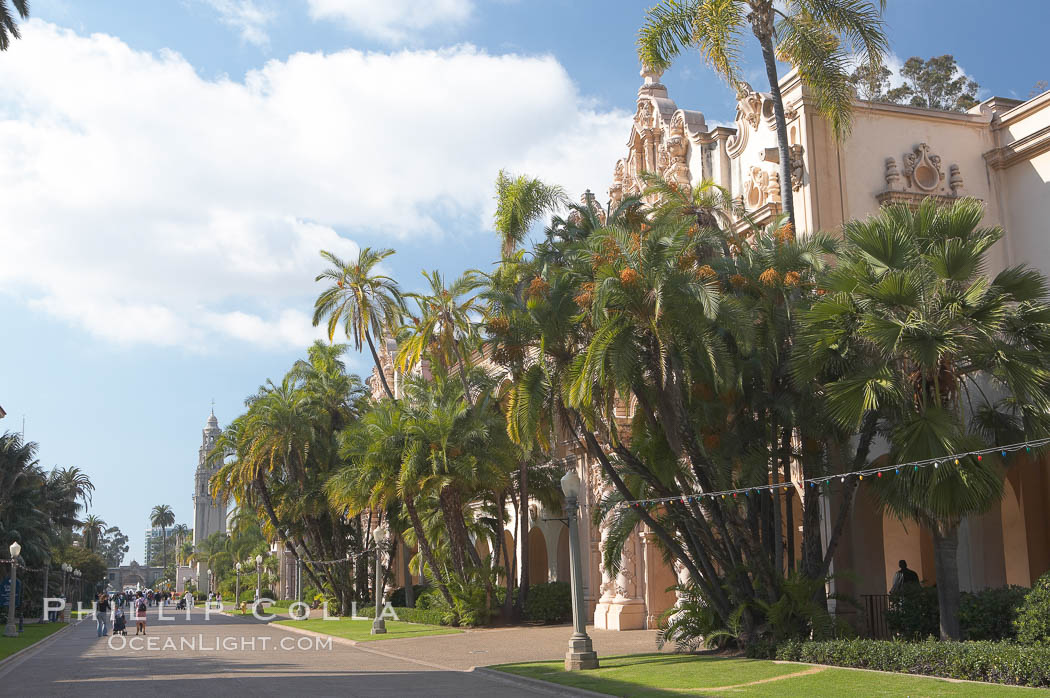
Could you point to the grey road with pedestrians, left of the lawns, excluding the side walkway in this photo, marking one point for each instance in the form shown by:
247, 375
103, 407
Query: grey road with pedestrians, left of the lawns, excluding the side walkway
224, 657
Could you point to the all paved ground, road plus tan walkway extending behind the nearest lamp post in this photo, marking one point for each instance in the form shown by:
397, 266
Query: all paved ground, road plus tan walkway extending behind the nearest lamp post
229, 657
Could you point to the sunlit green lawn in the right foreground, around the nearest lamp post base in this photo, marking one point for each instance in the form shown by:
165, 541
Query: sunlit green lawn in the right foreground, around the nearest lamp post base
663, 676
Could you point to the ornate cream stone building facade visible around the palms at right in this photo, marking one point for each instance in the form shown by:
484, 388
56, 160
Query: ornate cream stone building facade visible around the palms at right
895, 155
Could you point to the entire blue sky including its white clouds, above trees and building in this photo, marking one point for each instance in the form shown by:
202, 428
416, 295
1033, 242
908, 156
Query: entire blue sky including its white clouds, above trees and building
172, 168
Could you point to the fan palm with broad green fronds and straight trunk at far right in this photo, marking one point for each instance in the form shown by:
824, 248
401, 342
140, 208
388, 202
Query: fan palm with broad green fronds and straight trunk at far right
936, 342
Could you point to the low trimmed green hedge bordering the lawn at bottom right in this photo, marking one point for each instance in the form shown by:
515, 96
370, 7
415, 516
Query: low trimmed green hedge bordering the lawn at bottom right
998, 663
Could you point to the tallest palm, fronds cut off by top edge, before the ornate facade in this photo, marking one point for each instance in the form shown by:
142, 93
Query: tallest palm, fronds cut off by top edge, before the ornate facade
821, 38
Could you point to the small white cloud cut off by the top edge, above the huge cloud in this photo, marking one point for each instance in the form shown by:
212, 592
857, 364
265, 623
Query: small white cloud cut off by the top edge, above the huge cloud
393, 22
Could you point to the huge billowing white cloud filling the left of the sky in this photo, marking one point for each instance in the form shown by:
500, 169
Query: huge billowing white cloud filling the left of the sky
149, 205
